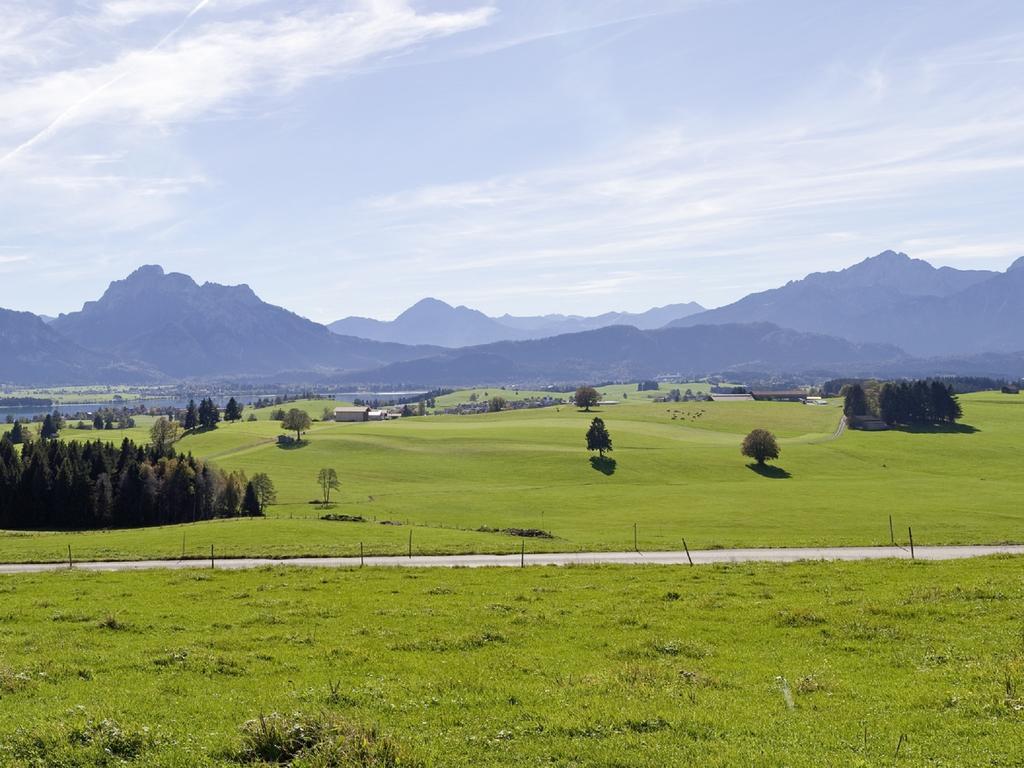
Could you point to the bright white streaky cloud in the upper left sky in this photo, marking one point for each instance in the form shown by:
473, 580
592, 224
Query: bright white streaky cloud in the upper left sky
79, 108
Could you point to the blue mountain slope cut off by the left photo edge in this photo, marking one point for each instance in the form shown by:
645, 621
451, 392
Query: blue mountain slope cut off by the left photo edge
32, 354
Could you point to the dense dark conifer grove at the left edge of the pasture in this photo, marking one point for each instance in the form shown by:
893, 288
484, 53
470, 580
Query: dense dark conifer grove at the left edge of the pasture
57, 485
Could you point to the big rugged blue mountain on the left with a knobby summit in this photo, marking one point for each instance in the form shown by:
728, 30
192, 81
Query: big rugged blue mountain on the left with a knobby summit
187, 331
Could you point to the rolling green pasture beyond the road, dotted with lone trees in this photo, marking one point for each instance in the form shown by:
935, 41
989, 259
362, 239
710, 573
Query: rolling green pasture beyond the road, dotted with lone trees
678, 475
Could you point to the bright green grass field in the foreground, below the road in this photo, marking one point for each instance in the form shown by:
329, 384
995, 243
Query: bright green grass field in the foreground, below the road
805, 665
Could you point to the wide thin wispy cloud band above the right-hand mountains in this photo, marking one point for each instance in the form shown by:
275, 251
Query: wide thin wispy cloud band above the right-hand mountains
855, 164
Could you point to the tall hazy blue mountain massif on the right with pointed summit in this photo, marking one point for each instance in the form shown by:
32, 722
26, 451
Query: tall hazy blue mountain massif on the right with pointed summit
893, 298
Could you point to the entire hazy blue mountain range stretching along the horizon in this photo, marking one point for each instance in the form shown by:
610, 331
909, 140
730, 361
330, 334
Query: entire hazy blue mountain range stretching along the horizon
889, 314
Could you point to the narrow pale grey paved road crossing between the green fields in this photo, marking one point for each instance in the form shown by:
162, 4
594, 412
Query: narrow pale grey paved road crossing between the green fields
570, 559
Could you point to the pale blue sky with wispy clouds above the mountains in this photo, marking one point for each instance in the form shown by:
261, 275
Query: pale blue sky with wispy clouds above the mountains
352, 157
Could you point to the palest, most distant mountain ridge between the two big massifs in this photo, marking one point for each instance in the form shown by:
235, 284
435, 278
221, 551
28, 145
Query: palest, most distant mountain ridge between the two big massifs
435, 322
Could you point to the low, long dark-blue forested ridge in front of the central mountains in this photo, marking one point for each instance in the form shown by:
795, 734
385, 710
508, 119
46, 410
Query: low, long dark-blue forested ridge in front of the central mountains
622, 353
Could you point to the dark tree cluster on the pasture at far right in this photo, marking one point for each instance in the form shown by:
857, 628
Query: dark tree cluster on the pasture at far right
904, 403
